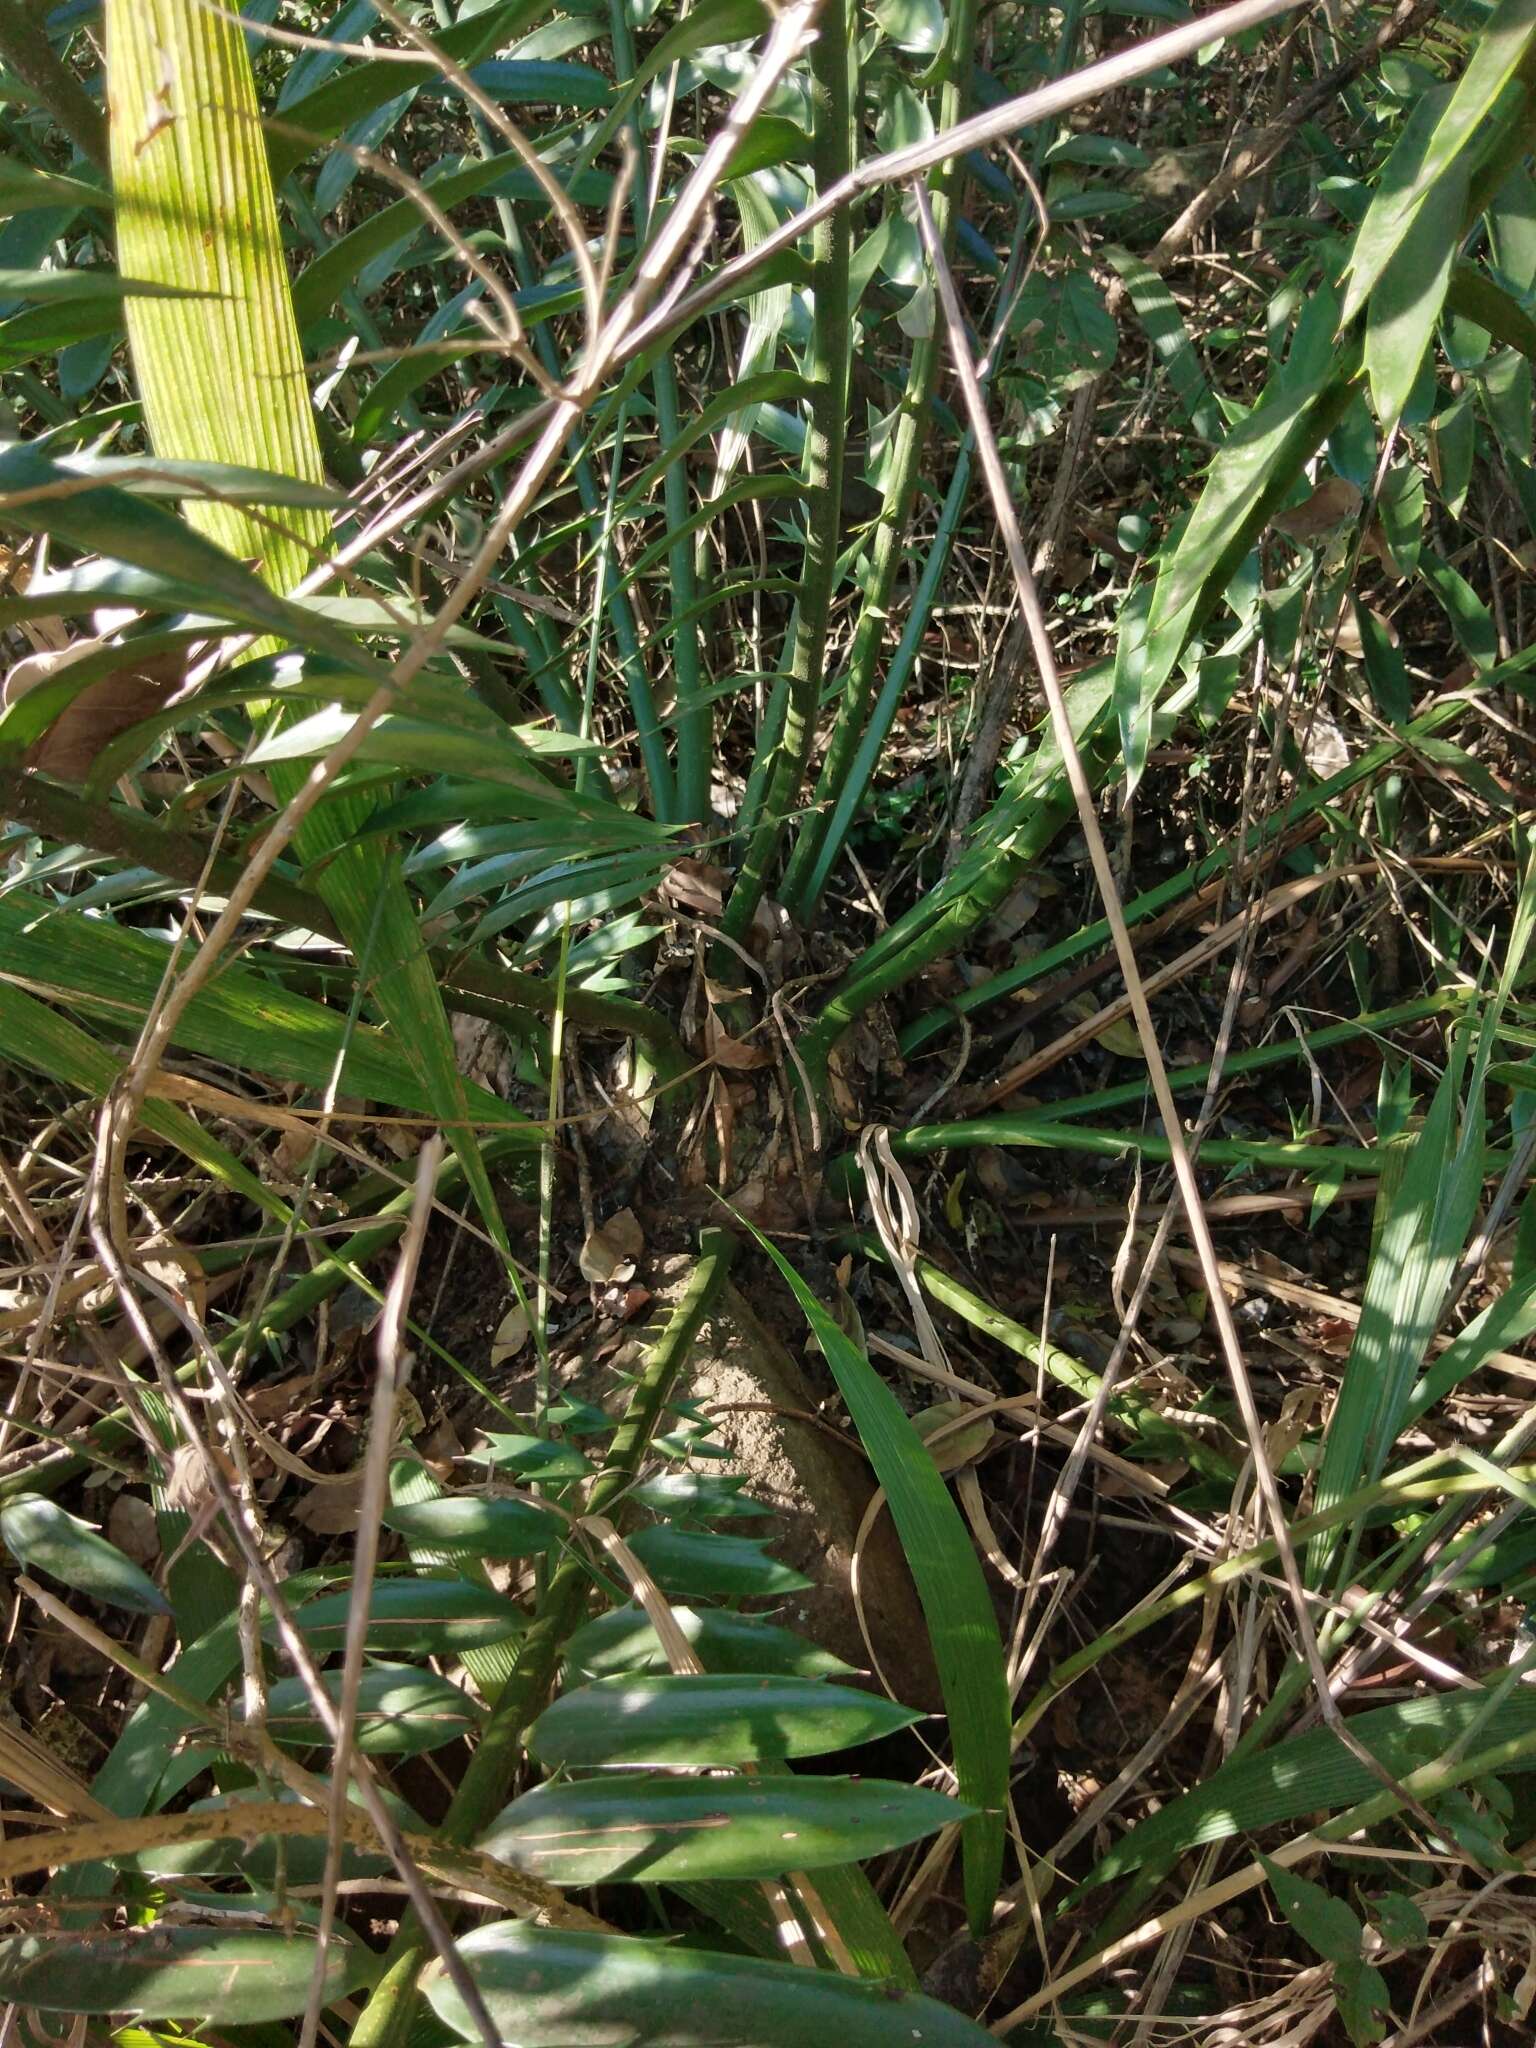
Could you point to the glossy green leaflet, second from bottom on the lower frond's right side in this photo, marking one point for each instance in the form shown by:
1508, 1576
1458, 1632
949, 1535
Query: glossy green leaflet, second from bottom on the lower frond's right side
660, 1830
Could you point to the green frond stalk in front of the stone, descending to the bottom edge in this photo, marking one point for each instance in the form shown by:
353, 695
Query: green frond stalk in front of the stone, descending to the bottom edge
390, 2012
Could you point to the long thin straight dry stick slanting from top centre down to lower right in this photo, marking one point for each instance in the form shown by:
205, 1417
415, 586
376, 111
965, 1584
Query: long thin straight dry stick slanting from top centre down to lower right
1125, 951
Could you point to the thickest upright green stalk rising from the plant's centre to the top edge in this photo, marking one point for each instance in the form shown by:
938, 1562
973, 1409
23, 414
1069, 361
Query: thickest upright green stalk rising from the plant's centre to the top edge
826, 372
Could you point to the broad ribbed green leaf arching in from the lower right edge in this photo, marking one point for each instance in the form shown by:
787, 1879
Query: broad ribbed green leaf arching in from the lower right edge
1316, 1773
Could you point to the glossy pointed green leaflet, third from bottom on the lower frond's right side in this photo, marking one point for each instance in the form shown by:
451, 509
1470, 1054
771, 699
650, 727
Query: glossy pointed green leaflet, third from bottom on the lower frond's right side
714, 1719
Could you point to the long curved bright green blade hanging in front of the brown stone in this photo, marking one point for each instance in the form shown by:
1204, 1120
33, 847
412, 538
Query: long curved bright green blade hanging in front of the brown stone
955, 1598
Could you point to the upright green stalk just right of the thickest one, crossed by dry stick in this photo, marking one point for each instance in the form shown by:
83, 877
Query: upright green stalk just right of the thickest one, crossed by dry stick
810, 863
